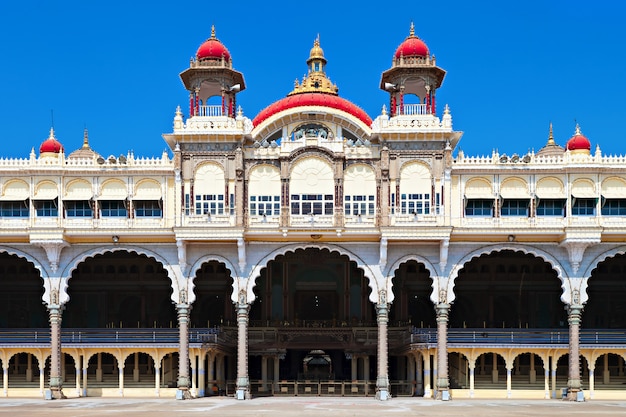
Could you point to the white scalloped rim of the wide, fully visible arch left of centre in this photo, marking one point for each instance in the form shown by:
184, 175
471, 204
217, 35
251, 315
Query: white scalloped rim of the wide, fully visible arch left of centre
177, 283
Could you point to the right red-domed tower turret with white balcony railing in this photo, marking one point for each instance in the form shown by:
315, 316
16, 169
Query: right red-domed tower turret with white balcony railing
413, 78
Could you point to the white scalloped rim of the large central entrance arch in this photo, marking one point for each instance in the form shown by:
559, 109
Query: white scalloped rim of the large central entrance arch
368, 272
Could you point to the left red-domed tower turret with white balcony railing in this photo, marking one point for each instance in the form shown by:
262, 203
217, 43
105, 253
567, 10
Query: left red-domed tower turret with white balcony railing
211, 74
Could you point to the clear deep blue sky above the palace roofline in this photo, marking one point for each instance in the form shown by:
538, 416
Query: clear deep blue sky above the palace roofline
512, 67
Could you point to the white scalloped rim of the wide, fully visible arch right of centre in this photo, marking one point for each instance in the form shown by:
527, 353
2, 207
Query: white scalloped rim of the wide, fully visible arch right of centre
488, 250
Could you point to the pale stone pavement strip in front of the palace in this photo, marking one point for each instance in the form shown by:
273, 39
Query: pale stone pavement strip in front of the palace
303, 406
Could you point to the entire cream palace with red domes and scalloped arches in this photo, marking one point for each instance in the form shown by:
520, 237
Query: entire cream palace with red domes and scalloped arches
313, 250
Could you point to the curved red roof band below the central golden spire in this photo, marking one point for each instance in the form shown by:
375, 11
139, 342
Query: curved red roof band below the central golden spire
312, 99
